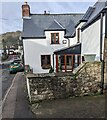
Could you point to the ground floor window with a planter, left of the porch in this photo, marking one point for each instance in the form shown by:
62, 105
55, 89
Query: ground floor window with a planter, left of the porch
45, 61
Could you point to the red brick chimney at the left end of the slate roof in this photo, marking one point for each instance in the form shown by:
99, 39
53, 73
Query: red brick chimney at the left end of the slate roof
25, 10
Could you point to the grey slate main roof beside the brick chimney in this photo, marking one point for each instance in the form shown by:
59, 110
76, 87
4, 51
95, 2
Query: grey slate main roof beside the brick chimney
38, 23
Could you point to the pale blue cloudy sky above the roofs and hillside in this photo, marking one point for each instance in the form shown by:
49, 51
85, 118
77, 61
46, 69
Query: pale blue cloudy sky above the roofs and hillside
11, 14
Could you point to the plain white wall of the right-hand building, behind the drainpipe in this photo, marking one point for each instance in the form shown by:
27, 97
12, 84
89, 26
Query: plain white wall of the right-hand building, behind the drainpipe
91, 39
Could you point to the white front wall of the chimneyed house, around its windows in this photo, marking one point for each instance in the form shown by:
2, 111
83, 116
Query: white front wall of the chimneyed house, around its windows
34, 48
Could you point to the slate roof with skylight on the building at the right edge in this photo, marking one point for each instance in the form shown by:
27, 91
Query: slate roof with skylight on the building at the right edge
93, 13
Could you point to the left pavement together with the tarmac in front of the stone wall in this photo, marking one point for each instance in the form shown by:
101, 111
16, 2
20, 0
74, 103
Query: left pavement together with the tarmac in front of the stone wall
16, 105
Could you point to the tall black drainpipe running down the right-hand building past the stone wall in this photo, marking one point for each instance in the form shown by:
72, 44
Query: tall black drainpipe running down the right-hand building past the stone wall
101, 58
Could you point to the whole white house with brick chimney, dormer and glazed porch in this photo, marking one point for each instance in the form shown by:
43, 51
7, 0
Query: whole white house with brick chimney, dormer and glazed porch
48, 41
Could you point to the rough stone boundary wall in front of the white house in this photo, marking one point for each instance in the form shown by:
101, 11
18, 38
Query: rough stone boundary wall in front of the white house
85, 80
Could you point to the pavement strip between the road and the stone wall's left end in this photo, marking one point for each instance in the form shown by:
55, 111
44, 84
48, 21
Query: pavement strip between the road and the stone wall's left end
15, 103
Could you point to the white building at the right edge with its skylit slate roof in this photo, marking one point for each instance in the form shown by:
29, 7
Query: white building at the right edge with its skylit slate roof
94, 30
